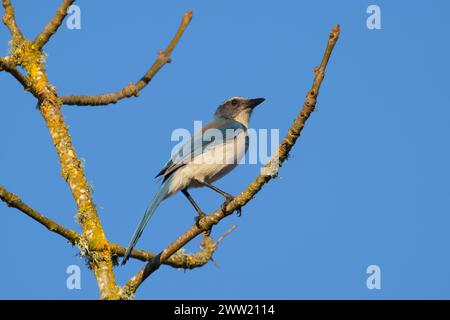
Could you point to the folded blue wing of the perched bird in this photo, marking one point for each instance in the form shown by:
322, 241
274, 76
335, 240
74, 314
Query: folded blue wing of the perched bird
199, 142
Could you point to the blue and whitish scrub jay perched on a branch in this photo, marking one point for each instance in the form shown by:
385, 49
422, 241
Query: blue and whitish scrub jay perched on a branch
208, 156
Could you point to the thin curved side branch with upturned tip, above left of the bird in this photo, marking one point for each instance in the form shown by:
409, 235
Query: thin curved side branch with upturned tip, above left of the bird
132, 89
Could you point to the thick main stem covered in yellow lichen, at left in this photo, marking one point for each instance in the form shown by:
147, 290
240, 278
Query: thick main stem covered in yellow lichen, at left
32, 59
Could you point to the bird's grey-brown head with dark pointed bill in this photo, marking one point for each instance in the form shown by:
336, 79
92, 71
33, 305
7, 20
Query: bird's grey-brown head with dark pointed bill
238, 108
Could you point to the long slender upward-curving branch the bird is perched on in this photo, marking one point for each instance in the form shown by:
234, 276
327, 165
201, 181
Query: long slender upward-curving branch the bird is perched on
244, 197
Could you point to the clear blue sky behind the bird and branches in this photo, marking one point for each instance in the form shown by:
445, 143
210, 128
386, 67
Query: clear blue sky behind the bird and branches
367, 183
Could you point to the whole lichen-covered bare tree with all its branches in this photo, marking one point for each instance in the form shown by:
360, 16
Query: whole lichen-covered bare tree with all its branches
92, 242
